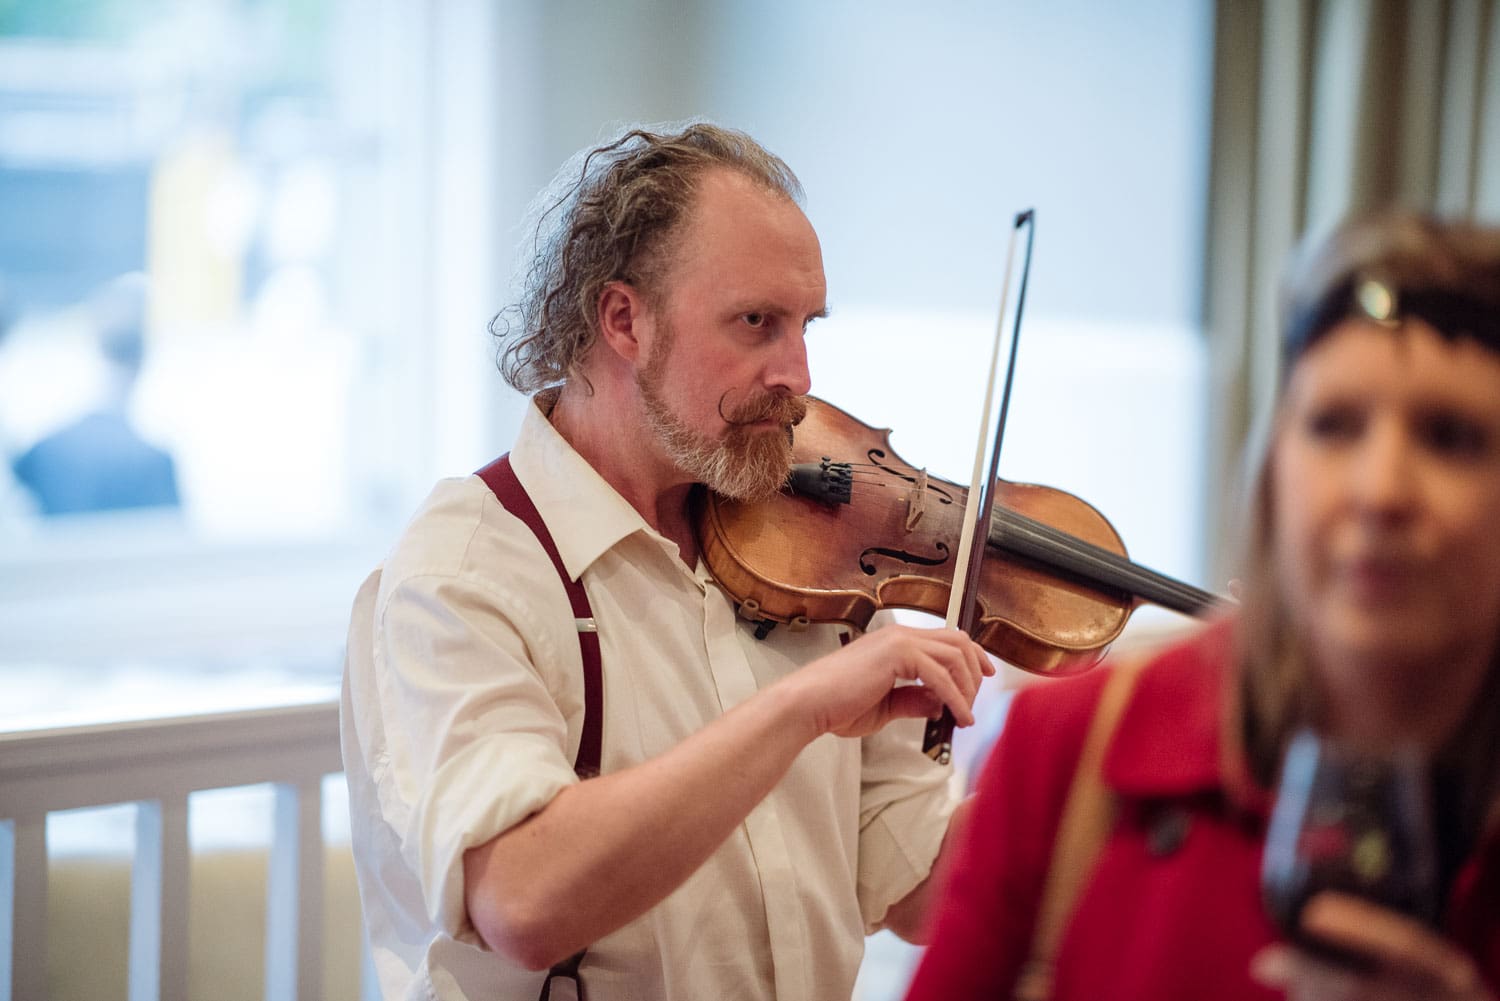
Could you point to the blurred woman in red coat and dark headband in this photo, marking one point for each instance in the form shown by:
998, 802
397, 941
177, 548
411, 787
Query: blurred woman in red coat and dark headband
1372, 615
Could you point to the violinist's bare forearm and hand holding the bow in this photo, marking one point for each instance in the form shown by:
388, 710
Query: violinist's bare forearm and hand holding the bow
625, 841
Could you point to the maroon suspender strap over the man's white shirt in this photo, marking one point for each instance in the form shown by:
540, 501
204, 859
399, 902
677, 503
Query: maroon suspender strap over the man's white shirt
514, 497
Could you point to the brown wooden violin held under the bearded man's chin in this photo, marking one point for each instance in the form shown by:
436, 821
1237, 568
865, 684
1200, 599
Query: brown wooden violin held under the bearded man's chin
859, 529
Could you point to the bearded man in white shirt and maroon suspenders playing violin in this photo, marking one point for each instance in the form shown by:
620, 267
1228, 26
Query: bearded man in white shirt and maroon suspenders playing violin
763, 801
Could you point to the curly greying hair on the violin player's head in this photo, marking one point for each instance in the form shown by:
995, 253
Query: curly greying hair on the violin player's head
610, 215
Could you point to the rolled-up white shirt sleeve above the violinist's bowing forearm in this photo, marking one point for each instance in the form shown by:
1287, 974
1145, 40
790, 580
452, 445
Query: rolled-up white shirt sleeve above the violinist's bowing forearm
476, 741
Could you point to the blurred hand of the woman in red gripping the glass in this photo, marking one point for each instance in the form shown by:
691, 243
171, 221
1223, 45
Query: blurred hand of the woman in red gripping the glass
1411, 961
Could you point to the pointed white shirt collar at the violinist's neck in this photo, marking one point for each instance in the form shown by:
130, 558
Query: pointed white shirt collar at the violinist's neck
586, 516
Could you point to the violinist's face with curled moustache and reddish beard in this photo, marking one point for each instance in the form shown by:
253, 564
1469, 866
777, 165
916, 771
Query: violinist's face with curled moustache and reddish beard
727, 368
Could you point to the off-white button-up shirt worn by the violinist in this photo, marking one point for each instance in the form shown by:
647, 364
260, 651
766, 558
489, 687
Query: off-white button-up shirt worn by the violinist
463, 712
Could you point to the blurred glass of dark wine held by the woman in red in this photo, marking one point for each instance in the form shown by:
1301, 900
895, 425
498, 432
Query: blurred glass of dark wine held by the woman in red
1349, 823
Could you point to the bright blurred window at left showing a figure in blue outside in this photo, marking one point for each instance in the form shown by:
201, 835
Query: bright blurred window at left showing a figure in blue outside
178, 181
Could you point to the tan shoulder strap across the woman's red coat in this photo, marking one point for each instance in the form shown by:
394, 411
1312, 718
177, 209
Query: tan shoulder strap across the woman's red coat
1087, 819
